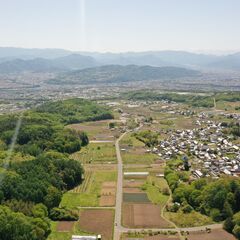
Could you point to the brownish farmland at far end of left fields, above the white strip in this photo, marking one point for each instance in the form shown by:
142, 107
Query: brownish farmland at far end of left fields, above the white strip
98, 130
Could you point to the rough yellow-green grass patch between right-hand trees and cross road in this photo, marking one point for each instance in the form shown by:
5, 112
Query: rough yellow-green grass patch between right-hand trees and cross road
192, 219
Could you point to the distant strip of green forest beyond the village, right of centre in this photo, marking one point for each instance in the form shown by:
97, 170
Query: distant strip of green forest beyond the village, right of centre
190, 99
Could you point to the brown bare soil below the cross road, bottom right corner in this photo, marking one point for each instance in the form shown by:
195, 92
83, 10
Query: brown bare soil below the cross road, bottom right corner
215, 234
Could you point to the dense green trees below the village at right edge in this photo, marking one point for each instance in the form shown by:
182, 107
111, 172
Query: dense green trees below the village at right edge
218, 199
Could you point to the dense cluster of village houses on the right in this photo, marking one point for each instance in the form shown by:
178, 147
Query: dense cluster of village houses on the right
209, 150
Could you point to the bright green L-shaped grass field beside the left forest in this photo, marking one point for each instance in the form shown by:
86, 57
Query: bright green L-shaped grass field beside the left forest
89, 198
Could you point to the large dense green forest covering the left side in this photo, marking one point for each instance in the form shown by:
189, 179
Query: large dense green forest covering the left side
40, 169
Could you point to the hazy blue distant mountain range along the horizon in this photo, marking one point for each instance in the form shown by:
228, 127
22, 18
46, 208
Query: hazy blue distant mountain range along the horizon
15, 60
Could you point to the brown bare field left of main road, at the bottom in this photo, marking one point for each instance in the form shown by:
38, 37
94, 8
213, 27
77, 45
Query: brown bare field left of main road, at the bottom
98, 222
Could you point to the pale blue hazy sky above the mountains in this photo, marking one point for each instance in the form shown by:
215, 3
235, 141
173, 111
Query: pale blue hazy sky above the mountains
121, 25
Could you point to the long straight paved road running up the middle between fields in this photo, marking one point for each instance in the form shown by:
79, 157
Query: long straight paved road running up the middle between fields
118, 212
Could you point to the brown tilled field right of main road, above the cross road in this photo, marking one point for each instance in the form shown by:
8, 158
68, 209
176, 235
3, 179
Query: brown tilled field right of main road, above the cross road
143, 216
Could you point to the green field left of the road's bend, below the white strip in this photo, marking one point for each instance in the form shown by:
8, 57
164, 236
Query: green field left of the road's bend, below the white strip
96, 153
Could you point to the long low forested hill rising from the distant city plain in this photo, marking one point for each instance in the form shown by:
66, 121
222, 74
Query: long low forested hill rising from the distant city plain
119, 74
